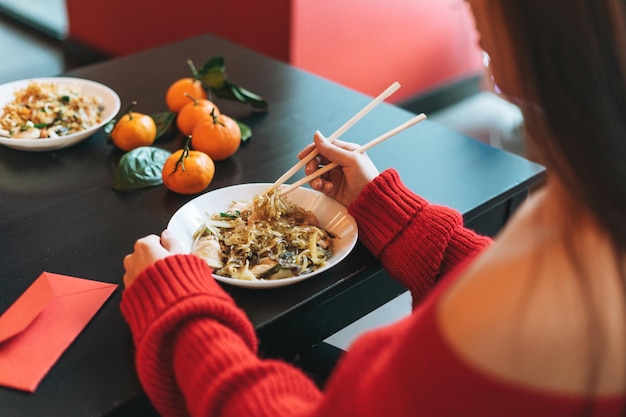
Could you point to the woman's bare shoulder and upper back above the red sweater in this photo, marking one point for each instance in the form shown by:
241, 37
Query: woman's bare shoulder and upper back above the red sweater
520, 313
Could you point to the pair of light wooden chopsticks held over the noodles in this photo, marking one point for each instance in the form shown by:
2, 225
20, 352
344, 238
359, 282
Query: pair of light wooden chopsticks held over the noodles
353, 120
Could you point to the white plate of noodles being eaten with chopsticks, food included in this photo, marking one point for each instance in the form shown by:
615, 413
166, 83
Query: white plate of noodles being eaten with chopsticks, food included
255, 239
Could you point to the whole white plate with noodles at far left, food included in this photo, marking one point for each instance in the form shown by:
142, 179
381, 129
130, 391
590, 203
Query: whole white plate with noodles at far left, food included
44, 114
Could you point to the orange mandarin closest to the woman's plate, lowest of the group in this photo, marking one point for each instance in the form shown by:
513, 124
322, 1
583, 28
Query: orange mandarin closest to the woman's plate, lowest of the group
187, 171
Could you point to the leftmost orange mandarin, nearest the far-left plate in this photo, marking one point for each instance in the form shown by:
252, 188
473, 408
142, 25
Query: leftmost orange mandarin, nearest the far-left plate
133, 130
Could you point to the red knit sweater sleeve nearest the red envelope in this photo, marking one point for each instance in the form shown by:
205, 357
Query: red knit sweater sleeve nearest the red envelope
196, 351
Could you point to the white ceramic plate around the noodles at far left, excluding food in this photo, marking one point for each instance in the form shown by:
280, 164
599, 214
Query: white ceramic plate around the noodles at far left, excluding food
110, 100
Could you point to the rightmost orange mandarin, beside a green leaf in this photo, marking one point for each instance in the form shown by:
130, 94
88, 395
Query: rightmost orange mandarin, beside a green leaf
219, 136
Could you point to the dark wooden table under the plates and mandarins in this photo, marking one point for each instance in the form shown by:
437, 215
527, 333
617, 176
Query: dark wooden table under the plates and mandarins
58, 212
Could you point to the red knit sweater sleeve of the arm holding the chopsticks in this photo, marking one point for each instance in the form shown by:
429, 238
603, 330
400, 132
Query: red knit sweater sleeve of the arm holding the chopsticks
417, 242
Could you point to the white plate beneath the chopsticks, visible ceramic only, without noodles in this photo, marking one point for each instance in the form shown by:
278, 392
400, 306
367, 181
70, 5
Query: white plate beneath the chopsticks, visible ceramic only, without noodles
333, 216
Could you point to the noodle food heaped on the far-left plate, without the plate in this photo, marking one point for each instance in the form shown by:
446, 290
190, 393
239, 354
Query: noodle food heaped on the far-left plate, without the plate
49, 110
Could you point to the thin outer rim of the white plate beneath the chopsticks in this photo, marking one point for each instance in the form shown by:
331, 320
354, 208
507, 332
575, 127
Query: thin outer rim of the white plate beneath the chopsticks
281, 282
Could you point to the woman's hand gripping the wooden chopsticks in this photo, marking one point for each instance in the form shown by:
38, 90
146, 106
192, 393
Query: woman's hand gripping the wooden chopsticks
345, 182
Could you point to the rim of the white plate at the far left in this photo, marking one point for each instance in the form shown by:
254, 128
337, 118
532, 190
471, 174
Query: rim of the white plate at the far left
61, 142
